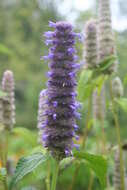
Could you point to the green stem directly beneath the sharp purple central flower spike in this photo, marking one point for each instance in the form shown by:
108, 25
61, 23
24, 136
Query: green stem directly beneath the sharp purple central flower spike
55, 175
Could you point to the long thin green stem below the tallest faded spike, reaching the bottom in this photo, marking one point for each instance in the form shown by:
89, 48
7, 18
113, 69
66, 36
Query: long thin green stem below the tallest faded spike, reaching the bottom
118, 137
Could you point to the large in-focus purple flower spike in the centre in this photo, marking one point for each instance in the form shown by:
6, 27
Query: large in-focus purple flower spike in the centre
61, 112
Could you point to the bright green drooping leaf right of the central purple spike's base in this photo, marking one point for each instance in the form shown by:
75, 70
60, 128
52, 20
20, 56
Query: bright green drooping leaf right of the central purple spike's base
97, 163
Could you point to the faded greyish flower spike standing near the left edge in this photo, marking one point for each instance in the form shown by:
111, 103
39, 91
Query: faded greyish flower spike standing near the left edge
8, 102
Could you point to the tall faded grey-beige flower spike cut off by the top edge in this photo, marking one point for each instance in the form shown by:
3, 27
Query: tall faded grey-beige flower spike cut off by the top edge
105, 33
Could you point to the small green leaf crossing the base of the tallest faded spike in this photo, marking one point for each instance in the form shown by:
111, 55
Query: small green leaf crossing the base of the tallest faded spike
107, 62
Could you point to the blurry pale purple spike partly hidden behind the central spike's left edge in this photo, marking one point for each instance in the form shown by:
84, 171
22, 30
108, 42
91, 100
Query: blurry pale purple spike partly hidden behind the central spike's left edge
41, 113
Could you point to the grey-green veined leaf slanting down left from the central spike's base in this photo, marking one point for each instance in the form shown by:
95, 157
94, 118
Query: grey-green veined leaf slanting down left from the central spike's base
26, 165
